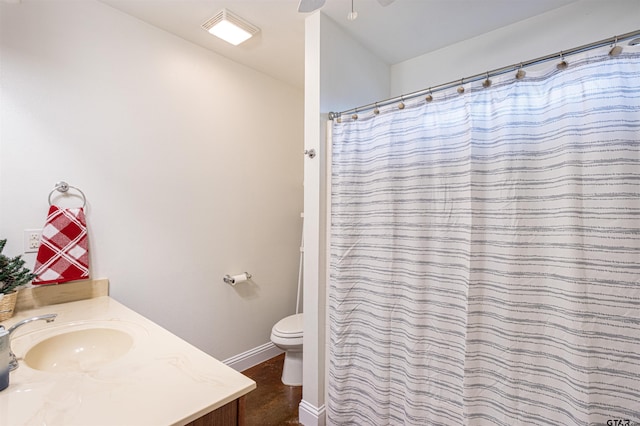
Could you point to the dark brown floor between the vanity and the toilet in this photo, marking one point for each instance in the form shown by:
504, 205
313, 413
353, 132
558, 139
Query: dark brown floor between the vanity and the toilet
272, 403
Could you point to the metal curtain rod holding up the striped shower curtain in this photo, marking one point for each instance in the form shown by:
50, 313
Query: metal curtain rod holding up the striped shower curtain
495, 72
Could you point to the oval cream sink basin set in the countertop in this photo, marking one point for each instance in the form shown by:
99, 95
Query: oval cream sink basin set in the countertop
79, 350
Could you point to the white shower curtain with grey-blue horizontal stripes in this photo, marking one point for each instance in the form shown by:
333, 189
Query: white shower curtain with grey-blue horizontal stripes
485, 254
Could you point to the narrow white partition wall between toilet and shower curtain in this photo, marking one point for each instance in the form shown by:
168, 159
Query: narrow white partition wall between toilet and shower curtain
338, 71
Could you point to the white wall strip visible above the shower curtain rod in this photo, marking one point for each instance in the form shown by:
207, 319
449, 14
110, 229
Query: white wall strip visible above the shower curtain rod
564, 28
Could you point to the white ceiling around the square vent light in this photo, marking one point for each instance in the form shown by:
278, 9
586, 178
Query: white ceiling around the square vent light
403, 30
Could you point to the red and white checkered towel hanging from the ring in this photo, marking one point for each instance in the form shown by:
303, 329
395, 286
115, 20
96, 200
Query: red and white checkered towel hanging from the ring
63, 254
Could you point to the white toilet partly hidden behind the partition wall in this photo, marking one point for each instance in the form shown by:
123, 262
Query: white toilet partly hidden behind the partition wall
287, 335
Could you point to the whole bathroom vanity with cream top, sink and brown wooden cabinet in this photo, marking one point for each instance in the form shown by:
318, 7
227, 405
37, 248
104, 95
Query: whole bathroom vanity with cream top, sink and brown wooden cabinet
100, 363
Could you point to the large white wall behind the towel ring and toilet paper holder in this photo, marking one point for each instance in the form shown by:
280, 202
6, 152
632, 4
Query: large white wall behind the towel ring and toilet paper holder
191, 164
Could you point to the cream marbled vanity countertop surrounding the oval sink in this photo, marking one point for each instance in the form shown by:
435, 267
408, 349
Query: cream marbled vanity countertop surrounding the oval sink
162, 380
